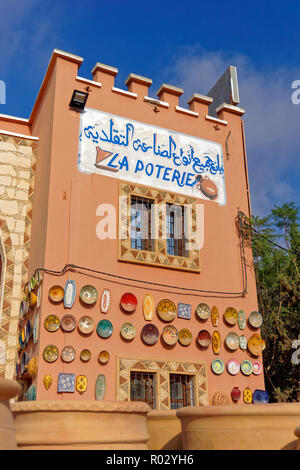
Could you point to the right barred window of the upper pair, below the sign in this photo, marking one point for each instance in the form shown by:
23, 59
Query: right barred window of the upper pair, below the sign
175, 222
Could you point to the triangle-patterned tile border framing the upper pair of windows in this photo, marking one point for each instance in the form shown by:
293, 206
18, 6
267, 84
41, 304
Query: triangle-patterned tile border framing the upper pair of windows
159, 257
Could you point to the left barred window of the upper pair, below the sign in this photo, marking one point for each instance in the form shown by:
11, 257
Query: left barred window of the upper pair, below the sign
141, 220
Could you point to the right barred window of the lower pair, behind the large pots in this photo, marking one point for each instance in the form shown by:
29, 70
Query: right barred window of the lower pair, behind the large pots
182, 391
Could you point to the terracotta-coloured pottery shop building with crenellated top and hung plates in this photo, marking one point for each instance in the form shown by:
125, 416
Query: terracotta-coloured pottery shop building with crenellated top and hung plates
125, 275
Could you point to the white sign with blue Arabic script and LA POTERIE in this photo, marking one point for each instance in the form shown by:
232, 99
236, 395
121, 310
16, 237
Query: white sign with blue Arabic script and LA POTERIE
152, 156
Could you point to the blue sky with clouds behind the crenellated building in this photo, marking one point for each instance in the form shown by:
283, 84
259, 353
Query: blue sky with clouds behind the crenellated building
187, 44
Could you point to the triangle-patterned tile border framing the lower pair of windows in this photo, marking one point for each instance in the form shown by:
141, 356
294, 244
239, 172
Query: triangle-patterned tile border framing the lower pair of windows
162, 369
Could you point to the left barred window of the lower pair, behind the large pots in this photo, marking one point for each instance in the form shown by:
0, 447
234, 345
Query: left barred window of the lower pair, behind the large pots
143, 388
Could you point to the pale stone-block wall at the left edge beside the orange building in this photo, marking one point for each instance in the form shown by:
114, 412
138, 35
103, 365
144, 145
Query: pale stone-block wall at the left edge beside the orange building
17, 169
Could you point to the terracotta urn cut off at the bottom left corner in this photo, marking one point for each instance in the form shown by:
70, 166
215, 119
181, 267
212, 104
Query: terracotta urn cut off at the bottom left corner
8, 389
